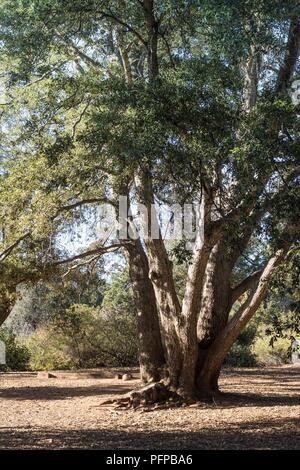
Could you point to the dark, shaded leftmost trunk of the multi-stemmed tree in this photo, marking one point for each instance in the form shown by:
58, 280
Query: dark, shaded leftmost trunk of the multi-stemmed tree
151, 354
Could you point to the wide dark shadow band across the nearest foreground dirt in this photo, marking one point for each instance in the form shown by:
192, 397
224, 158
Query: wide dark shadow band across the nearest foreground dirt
274, 434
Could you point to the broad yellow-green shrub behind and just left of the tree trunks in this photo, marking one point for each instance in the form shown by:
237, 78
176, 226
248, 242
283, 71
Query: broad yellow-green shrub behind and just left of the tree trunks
84, 336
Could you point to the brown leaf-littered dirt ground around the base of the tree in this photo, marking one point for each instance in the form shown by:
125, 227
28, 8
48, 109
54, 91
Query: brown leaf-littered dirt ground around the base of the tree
260, 409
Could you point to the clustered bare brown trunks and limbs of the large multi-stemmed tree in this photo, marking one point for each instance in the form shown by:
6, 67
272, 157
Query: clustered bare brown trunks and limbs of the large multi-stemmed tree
183, 345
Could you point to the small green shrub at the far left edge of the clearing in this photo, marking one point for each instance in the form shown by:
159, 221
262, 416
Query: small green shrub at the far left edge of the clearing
17, 354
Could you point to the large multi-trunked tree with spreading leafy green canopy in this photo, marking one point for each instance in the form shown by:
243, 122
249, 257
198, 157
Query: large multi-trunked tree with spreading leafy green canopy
177, 101
